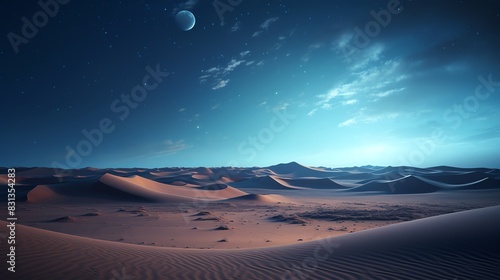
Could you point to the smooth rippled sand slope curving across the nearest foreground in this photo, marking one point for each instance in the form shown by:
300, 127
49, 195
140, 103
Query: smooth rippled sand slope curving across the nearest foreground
461, 245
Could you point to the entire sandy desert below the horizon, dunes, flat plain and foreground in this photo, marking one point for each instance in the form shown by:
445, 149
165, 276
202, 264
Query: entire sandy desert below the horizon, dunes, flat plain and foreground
286, 221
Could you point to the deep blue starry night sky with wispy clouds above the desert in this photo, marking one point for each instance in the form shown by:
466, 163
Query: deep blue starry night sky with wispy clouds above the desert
254, 83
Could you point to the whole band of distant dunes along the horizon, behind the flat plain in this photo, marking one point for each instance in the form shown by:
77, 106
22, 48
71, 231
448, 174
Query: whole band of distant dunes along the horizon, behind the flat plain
178, 185
